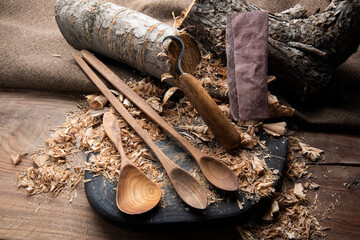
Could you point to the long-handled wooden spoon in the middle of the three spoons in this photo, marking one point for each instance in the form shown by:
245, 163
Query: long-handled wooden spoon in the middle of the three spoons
188, 188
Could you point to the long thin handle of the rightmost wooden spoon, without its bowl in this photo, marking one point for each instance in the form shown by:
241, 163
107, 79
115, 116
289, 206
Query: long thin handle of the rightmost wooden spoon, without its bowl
140, 103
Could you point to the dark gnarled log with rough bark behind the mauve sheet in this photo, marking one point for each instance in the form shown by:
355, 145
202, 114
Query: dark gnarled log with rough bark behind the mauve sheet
303, 51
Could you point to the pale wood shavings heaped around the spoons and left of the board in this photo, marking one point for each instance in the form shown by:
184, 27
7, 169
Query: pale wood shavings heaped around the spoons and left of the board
83, 131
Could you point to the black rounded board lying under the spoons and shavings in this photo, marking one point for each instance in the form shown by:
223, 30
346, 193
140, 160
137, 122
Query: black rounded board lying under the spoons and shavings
101, 195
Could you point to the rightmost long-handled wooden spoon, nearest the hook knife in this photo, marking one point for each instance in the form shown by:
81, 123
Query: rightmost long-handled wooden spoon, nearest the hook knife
215, 171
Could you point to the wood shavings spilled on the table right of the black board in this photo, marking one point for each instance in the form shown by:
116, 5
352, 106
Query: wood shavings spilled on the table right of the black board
289, 216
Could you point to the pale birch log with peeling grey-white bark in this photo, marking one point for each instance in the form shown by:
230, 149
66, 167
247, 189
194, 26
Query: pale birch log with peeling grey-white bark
123, 34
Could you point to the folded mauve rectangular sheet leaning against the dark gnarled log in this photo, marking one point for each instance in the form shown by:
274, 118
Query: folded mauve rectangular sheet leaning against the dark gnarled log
246, 46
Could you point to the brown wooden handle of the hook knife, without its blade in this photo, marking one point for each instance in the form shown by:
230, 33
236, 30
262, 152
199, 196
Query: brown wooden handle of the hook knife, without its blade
223, 130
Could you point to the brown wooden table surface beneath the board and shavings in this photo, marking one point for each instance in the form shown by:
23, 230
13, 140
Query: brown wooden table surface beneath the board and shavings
26, 120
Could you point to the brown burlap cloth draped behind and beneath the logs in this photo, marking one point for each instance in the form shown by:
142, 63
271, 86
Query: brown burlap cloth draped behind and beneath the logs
34, 55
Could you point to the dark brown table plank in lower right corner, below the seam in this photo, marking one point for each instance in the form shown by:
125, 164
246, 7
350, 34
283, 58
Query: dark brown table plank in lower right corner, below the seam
337, 206
